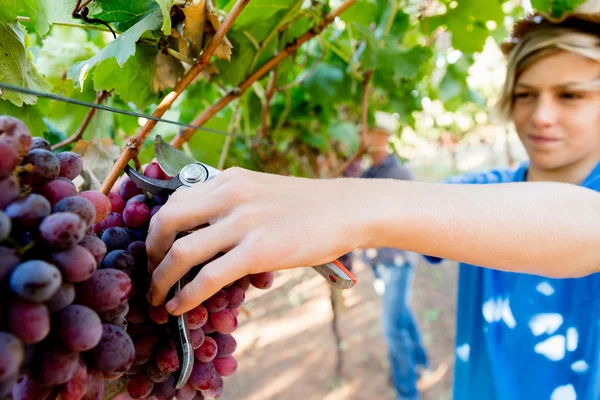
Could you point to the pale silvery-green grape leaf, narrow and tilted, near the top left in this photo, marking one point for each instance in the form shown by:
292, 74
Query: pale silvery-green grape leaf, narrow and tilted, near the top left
121, 48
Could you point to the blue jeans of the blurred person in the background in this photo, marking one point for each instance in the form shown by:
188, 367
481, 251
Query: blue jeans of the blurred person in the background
400, 328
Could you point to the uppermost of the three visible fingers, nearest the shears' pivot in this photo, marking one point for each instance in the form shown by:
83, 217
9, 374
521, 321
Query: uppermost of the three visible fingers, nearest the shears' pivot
189, 209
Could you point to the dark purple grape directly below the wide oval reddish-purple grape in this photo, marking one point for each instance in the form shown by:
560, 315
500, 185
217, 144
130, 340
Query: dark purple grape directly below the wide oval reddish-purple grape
115, 352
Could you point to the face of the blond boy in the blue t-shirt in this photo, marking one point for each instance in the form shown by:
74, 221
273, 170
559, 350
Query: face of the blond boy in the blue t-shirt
558, 125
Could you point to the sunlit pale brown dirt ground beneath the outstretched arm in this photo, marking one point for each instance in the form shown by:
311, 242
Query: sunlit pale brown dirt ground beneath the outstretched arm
286, 348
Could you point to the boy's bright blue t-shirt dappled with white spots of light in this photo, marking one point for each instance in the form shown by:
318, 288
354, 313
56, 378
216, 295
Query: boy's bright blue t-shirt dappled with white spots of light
526, 337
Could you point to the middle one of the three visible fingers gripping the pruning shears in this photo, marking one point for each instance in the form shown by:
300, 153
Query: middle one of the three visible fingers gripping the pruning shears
187, 252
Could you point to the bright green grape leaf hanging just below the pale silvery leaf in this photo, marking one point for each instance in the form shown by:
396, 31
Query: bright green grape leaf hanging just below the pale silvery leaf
133, 81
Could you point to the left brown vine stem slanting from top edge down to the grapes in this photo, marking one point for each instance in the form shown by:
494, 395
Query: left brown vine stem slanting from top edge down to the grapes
134, 144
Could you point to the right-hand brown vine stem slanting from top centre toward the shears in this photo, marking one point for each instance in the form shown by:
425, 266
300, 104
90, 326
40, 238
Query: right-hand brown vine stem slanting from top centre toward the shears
289, 49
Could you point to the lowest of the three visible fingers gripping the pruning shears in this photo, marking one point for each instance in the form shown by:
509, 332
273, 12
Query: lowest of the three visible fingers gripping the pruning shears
211, 278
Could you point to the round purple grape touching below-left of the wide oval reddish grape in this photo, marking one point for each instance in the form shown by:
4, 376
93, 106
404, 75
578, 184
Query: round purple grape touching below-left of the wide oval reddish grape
79, 327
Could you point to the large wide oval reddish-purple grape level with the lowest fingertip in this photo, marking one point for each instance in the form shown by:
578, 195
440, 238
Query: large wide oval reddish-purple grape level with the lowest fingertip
106, 289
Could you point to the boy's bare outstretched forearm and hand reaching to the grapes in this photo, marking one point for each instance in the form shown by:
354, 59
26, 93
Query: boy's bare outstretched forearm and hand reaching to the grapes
268, 222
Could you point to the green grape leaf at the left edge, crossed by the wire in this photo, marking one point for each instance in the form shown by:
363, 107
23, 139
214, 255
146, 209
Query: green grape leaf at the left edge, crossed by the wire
16, 66
